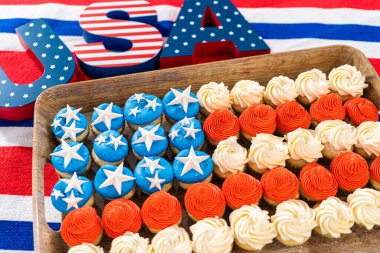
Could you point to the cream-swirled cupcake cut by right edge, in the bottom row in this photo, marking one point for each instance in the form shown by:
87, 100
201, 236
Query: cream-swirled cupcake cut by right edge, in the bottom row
365, 206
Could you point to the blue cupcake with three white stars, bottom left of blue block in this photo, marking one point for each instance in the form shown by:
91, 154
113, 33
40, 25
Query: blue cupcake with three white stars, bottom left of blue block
72, 193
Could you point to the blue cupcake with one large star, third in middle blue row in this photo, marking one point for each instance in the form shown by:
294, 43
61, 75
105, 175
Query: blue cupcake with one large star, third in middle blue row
149, 141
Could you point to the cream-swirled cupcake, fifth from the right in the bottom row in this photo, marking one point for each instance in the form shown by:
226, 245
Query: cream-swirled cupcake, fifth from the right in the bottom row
212, 235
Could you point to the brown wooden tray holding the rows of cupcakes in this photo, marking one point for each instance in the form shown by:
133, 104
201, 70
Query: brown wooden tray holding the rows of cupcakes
118, 89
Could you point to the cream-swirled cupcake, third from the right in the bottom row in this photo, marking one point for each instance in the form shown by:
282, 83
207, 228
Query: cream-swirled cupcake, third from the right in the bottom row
294, 221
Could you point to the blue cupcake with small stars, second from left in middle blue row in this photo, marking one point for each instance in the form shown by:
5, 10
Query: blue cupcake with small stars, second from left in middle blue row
109, 147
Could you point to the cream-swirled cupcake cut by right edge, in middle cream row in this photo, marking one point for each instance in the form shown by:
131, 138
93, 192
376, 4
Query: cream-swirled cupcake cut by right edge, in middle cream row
368, 144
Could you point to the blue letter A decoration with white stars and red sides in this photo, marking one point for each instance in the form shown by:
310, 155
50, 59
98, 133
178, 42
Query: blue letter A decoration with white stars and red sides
210, 30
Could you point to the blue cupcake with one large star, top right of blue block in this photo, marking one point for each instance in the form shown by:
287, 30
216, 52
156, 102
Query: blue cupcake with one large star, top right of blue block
179, 104
